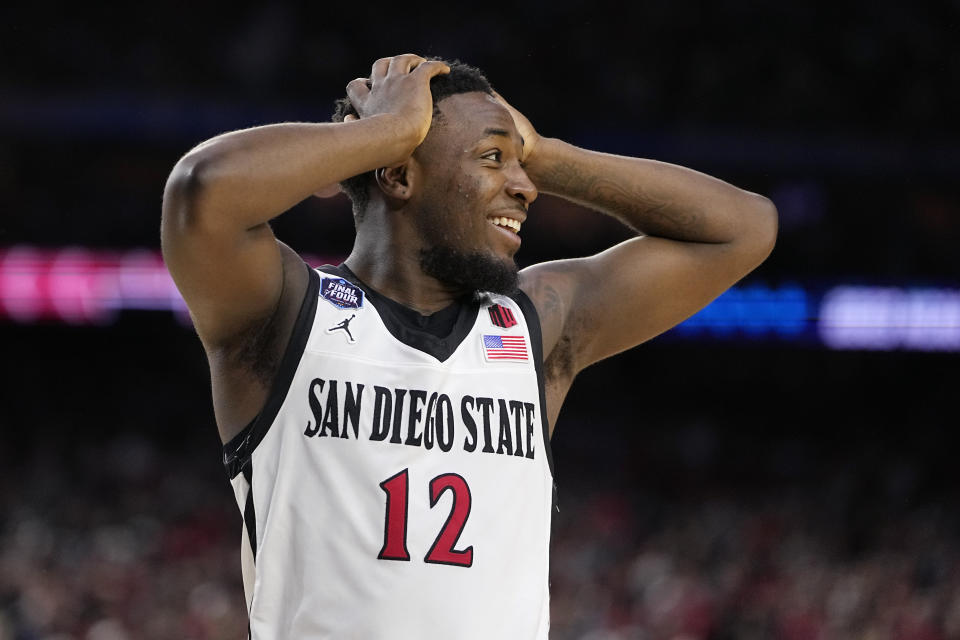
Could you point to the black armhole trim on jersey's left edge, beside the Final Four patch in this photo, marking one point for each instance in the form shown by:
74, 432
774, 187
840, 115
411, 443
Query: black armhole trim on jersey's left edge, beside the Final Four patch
237, 452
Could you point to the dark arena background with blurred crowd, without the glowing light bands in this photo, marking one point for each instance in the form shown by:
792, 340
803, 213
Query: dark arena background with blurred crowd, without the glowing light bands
708, 489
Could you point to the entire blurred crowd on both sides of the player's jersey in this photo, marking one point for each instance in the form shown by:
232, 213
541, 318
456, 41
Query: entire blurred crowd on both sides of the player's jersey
120, 541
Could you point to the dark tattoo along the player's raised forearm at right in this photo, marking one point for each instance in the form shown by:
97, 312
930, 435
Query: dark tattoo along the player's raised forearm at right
629, 203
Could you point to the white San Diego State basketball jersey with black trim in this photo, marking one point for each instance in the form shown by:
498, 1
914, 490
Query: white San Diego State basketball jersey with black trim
396, 484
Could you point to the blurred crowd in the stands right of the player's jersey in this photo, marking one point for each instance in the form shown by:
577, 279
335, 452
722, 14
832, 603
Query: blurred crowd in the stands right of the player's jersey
722, 569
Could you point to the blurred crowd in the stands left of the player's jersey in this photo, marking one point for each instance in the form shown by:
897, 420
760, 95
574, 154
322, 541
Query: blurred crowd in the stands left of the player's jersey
117, 542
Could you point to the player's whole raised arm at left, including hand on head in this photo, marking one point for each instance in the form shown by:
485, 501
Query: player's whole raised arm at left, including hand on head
220, 196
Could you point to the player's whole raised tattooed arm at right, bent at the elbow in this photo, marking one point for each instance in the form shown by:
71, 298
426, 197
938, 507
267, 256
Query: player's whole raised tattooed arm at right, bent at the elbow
698, 236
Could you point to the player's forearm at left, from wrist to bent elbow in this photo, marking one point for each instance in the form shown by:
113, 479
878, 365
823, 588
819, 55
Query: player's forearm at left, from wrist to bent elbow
248, 177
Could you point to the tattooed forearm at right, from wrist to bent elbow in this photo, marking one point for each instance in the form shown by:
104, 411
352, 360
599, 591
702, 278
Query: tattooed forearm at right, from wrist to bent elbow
654, 198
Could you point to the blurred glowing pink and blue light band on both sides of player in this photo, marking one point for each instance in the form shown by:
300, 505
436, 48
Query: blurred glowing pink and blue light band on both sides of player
82, 286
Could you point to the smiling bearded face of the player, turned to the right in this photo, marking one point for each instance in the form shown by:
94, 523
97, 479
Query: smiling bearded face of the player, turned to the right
473, 194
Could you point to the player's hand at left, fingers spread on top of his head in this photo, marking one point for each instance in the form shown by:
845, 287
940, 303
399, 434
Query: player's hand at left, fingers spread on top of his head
399, 86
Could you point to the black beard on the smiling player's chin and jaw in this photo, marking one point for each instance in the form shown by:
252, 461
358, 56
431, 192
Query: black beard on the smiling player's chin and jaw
469, 271
